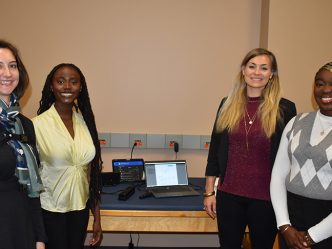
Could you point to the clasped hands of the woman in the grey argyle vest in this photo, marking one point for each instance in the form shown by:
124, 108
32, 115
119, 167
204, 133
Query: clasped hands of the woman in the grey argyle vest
295, 239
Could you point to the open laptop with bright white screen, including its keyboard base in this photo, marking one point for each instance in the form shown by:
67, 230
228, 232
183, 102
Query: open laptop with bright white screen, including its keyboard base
168, 178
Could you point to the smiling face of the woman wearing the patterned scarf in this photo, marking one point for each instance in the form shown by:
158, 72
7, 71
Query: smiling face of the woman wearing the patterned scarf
9, 74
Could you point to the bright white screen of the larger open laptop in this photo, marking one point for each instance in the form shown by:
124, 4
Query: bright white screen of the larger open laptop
166, 173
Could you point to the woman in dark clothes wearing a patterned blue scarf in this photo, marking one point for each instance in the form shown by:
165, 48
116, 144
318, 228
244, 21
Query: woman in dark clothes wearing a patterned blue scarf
21, 223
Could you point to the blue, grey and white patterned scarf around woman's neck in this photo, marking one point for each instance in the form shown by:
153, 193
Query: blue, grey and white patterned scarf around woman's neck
13, 133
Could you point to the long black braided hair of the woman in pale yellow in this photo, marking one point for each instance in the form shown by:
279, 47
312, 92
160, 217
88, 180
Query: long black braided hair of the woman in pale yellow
84, 107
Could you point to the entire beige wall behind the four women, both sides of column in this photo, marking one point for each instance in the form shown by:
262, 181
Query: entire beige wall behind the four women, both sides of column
166, 63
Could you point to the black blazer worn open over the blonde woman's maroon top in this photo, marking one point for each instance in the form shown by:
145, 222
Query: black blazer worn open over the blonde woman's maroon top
218, 152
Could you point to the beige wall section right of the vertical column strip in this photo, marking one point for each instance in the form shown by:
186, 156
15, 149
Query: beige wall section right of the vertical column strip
300, 35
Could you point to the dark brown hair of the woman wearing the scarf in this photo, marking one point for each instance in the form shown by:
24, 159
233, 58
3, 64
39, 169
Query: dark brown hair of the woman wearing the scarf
23, 74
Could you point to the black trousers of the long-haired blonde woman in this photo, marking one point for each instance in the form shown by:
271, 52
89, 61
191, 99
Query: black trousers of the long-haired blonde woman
234, 213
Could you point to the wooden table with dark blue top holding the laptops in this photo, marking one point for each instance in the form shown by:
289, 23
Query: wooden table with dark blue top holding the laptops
167, 215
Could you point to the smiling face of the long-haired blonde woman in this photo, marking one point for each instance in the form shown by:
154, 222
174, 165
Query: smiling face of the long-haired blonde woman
257, 73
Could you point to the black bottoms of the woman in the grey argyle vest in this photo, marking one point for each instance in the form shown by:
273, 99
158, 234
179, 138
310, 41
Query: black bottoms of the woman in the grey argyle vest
305, 213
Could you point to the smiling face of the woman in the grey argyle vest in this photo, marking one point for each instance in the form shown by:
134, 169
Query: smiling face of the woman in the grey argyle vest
323, 91
